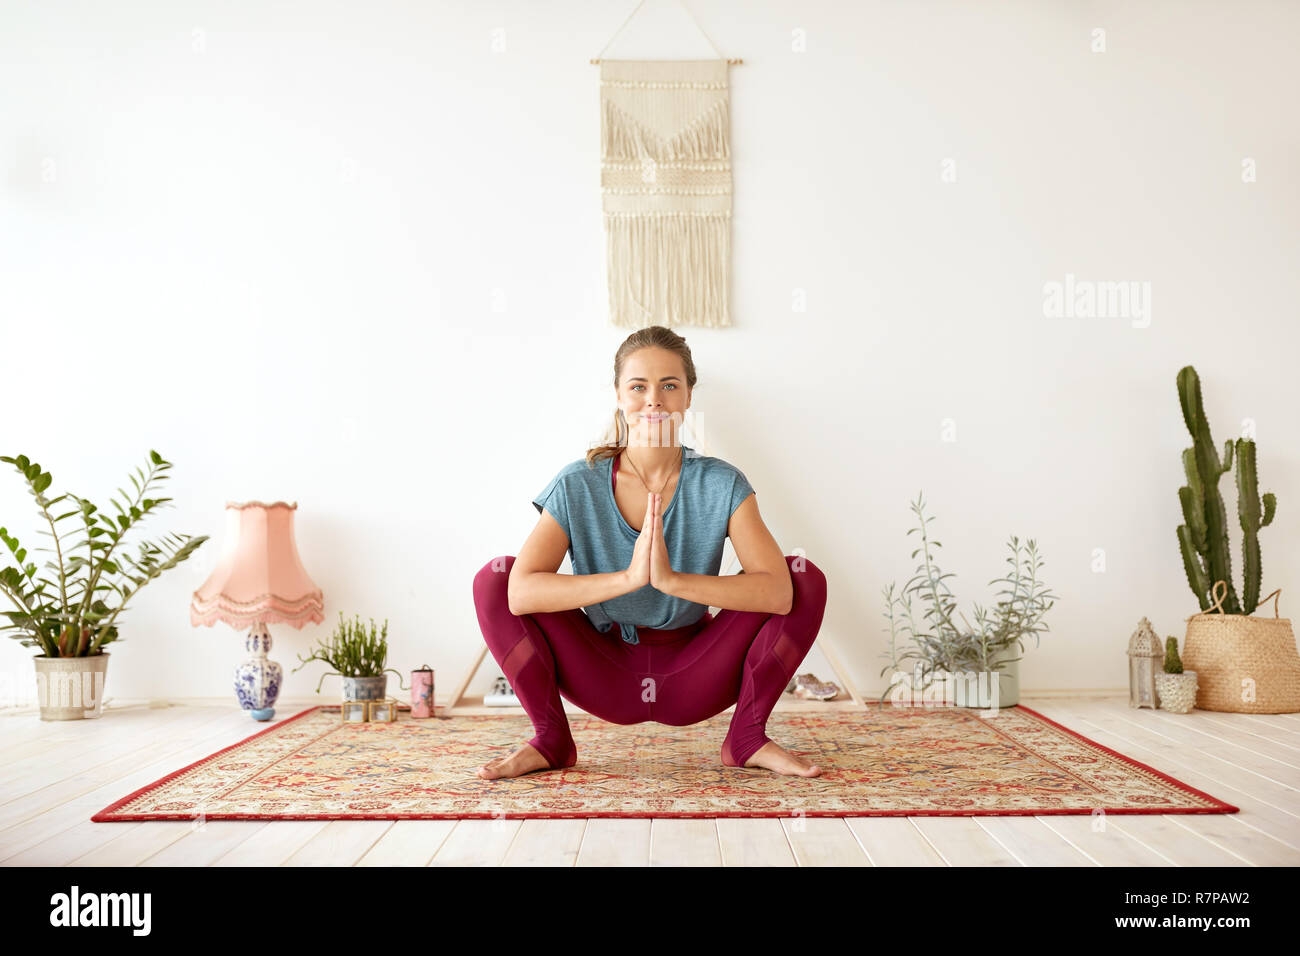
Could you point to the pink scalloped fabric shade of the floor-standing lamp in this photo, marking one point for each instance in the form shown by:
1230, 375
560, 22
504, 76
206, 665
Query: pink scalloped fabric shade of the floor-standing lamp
261, 578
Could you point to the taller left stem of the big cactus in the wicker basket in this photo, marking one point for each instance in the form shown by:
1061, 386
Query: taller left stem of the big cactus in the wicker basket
1204, 537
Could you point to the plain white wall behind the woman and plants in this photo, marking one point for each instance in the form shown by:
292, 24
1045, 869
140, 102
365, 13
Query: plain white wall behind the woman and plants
270, 241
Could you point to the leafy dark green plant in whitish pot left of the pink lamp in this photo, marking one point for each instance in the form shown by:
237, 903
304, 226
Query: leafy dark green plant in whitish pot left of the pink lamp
71, 613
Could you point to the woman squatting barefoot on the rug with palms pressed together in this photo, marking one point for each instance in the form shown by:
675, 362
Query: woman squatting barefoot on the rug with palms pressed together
645, 521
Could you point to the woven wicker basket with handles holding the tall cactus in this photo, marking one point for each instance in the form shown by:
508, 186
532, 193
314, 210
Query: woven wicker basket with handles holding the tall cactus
1245, 665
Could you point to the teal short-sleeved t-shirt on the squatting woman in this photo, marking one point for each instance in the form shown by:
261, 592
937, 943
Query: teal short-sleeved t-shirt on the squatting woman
695, 529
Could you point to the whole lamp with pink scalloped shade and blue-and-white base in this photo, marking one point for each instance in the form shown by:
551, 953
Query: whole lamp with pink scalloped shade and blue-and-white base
259, 581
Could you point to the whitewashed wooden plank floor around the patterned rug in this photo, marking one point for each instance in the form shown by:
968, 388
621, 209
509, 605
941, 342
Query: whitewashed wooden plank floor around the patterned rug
57, 775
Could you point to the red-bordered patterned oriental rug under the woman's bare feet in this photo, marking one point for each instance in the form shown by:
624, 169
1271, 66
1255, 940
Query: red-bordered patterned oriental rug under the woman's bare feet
878, 763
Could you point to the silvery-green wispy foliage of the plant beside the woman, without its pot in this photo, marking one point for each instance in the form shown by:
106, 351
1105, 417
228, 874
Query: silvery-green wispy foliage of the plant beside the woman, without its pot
942, 647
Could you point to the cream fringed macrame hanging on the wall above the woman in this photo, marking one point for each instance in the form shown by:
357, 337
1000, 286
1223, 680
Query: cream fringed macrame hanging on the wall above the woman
666, 189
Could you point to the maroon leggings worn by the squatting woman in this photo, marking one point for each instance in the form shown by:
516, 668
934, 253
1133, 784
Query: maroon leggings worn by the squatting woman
678, 677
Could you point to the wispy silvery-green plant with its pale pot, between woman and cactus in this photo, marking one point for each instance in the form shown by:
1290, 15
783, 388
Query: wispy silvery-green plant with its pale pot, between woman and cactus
974, 667
